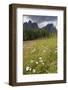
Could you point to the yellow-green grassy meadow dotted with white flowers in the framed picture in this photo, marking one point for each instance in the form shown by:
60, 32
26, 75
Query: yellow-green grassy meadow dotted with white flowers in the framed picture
40, 56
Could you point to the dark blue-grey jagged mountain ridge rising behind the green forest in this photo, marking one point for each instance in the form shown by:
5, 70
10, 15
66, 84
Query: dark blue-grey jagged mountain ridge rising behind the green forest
29, 25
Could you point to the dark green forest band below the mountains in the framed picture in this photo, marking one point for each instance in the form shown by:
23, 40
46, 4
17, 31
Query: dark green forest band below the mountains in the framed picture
32, 34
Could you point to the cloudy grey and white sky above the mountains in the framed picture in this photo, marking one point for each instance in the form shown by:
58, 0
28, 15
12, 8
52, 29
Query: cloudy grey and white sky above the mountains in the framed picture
41, 20
